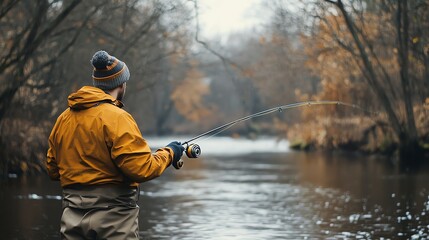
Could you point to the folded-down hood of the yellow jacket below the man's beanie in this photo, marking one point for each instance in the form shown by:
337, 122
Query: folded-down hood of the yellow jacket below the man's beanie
88, 97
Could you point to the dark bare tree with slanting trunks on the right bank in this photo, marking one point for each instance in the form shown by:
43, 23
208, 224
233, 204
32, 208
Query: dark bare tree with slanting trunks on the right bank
376, 74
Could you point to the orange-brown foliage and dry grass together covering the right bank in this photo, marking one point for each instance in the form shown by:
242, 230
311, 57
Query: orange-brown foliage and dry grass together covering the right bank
373, 77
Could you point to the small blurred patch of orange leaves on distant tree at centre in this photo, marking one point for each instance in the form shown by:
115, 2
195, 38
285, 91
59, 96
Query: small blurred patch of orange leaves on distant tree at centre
188, 97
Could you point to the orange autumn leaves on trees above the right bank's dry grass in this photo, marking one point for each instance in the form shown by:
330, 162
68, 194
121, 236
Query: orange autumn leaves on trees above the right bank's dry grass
334, 58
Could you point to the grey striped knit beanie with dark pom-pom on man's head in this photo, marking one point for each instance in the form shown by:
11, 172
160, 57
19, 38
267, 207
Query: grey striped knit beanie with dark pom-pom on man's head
109, 72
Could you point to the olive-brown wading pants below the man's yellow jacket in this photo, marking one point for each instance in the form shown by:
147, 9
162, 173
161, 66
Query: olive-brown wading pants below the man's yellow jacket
100, 212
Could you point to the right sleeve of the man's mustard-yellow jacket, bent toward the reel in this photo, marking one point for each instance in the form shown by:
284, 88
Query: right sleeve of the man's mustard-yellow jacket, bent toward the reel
132, 154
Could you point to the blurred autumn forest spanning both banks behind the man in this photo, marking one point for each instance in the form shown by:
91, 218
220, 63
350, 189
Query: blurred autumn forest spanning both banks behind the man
372, 53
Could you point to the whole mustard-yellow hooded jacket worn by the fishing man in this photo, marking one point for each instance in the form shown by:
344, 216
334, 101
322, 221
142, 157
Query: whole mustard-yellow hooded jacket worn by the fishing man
94, 141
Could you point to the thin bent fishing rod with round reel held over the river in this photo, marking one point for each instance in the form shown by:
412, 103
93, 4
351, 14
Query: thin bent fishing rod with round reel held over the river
194, 150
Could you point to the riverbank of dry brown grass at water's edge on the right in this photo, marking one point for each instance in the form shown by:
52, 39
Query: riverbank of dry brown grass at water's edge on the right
355, 134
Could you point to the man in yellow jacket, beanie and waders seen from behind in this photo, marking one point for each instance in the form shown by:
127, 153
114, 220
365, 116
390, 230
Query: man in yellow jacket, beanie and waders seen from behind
98, 154
